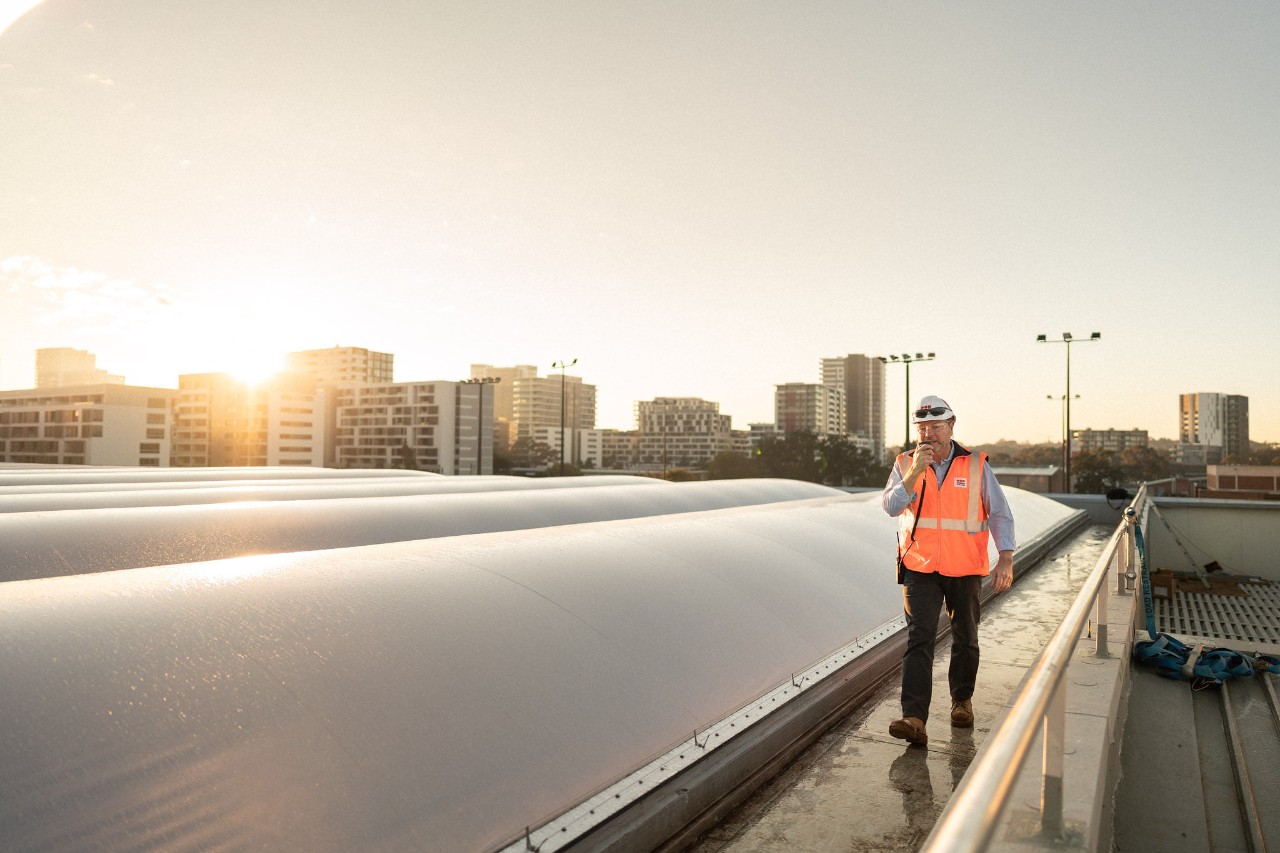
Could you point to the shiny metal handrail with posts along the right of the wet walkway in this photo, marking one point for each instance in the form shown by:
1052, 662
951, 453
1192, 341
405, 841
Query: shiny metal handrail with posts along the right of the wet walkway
972, 815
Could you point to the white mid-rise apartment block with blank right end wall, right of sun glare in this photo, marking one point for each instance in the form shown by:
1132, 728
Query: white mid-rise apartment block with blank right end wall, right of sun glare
441, 427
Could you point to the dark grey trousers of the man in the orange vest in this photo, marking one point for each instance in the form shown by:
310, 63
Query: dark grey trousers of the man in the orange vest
924, 596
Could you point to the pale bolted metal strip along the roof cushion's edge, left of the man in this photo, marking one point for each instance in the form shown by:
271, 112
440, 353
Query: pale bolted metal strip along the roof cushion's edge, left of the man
575, 823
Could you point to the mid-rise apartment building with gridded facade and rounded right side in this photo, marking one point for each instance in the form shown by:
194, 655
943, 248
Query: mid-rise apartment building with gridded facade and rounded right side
680, 432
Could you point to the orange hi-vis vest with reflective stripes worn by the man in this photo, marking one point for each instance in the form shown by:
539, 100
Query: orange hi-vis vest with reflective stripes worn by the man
952, 535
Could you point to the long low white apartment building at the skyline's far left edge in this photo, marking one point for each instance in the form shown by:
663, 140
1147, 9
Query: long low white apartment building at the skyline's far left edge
94, 425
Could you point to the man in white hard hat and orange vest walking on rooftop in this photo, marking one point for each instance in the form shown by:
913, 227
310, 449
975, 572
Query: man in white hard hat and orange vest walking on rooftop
947, 500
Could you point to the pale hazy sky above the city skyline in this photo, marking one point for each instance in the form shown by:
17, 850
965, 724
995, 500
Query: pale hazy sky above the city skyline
693, 199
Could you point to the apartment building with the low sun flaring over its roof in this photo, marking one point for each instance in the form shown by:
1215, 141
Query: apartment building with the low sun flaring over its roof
223, 422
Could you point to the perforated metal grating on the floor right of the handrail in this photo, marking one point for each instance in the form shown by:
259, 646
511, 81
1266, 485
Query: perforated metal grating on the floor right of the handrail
1254, 618
